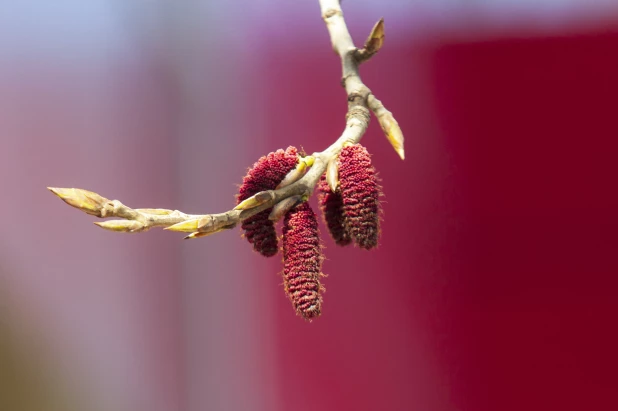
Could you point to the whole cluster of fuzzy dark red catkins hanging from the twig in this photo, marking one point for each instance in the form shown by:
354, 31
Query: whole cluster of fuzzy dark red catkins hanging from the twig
351, 213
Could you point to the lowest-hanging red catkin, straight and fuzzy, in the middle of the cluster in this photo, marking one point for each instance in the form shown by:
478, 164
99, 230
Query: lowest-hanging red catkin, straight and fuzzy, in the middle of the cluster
302, 261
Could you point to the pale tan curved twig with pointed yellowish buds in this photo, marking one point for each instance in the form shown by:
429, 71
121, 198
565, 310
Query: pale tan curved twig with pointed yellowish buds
360, 102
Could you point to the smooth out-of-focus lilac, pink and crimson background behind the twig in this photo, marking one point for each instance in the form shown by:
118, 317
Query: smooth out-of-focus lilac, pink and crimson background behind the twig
494, 287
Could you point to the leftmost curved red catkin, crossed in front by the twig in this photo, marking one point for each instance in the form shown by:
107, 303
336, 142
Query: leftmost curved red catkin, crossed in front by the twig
265, 174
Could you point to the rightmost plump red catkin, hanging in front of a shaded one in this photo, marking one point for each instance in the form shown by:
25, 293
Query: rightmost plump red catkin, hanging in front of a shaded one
360, 192
